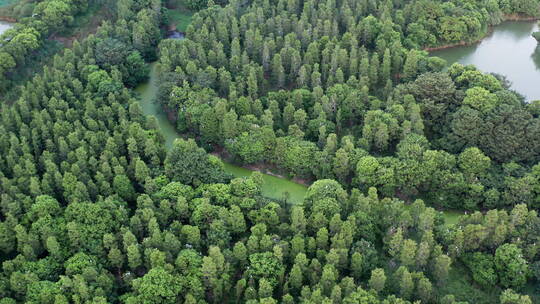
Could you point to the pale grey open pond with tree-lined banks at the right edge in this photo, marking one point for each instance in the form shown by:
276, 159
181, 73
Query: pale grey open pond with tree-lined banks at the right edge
510, 51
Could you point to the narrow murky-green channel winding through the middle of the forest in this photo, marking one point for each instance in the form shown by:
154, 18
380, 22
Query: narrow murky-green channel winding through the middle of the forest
273, 187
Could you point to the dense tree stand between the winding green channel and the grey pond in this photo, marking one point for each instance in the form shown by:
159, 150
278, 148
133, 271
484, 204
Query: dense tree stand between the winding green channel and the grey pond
352, 89
